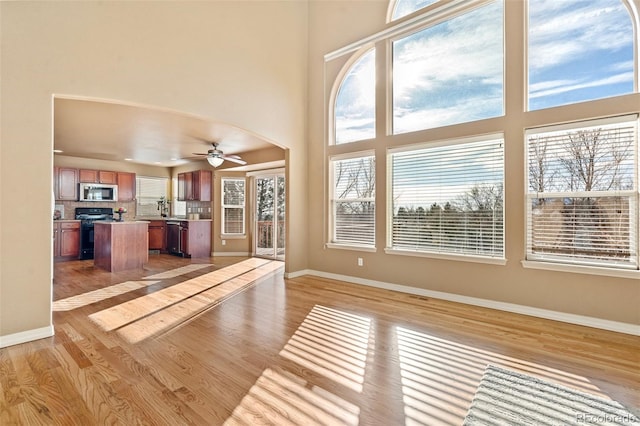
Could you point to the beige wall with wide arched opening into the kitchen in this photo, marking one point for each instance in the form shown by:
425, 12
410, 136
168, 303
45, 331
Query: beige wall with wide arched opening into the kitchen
222, 60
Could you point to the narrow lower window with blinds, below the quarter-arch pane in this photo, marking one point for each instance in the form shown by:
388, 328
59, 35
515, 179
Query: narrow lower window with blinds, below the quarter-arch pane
353, 200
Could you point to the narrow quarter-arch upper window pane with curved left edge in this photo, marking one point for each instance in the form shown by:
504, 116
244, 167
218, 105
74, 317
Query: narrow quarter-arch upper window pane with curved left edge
355, 107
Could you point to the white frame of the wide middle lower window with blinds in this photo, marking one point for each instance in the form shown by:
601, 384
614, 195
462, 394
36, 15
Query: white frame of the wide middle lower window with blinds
389, 249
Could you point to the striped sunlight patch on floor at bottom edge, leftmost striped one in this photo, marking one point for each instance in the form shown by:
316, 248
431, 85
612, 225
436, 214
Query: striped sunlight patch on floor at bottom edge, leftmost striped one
281, 398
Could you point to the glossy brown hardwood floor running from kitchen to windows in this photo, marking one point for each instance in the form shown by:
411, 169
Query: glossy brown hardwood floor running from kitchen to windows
233, 342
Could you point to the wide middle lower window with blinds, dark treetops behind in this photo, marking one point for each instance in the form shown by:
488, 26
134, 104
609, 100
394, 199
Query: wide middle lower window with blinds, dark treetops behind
448, 199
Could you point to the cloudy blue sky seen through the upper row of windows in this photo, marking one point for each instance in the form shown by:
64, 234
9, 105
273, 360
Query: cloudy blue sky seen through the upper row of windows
452, 72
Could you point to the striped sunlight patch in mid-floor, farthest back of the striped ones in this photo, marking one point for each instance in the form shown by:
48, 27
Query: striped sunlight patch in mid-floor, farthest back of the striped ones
332, 343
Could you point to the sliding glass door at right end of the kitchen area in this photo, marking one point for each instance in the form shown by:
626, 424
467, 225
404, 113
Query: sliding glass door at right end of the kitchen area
269, 235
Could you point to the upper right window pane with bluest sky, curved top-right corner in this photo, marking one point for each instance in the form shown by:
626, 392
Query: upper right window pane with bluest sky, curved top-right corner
579, 51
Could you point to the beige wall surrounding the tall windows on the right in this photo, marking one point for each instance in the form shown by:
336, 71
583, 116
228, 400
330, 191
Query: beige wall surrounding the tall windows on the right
600, 297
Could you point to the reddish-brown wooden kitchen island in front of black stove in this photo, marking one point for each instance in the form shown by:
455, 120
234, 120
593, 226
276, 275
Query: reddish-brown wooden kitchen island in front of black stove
120, 246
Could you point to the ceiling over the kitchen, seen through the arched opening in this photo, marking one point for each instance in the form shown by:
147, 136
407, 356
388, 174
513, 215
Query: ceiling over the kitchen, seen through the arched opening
113, 131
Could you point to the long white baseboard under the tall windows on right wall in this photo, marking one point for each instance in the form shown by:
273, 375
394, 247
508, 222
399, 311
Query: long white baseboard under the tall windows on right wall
620, 327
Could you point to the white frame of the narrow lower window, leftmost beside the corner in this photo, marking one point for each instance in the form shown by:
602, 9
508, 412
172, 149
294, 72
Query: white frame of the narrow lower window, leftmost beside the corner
331, 240
